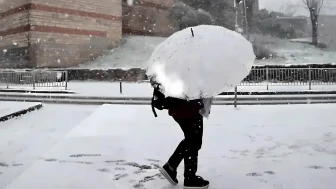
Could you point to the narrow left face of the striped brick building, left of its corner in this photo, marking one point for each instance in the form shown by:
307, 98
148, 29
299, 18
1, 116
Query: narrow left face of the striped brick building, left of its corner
13, 33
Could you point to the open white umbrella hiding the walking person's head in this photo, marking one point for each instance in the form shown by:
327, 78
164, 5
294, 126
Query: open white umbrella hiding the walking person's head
200, 62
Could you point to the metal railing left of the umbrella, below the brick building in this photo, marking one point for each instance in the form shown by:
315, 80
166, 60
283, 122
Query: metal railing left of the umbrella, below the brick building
34, 79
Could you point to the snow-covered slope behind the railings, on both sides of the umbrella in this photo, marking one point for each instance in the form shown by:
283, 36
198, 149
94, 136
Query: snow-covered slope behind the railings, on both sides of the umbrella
136, 50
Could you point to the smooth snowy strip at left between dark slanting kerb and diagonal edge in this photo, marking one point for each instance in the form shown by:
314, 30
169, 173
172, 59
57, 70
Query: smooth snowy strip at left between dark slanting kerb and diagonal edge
25, 139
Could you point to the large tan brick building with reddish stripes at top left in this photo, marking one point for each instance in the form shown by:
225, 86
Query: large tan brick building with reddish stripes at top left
57, 33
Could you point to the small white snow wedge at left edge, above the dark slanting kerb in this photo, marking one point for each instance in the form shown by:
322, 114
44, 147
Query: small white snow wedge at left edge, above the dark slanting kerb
8, 108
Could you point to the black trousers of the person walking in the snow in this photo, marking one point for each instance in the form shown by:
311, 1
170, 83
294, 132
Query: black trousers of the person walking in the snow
189, 146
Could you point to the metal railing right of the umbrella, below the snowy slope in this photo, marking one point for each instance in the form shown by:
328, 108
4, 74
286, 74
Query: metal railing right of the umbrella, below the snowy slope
290, 76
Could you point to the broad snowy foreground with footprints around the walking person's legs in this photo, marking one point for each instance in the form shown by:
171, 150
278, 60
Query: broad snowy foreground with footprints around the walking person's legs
253, 147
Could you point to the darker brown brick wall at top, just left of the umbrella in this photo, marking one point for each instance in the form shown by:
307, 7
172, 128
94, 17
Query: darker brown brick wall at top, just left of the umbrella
148, 17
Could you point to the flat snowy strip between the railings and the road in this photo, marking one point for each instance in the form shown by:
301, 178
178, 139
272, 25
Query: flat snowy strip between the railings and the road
112, 89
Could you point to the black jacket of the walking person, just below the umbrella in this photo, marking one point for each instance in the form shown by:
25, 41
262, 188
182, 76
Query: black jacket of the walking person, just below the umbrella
186, 109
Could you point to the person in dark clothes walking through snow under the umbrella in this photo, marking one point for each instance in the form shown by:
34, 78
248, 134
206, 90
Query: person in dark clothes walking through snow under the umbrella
189, 115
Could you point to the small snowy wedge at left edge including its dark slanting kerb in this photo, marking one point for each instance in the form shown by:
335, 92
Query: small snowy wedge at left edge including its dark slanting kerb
14, 109
